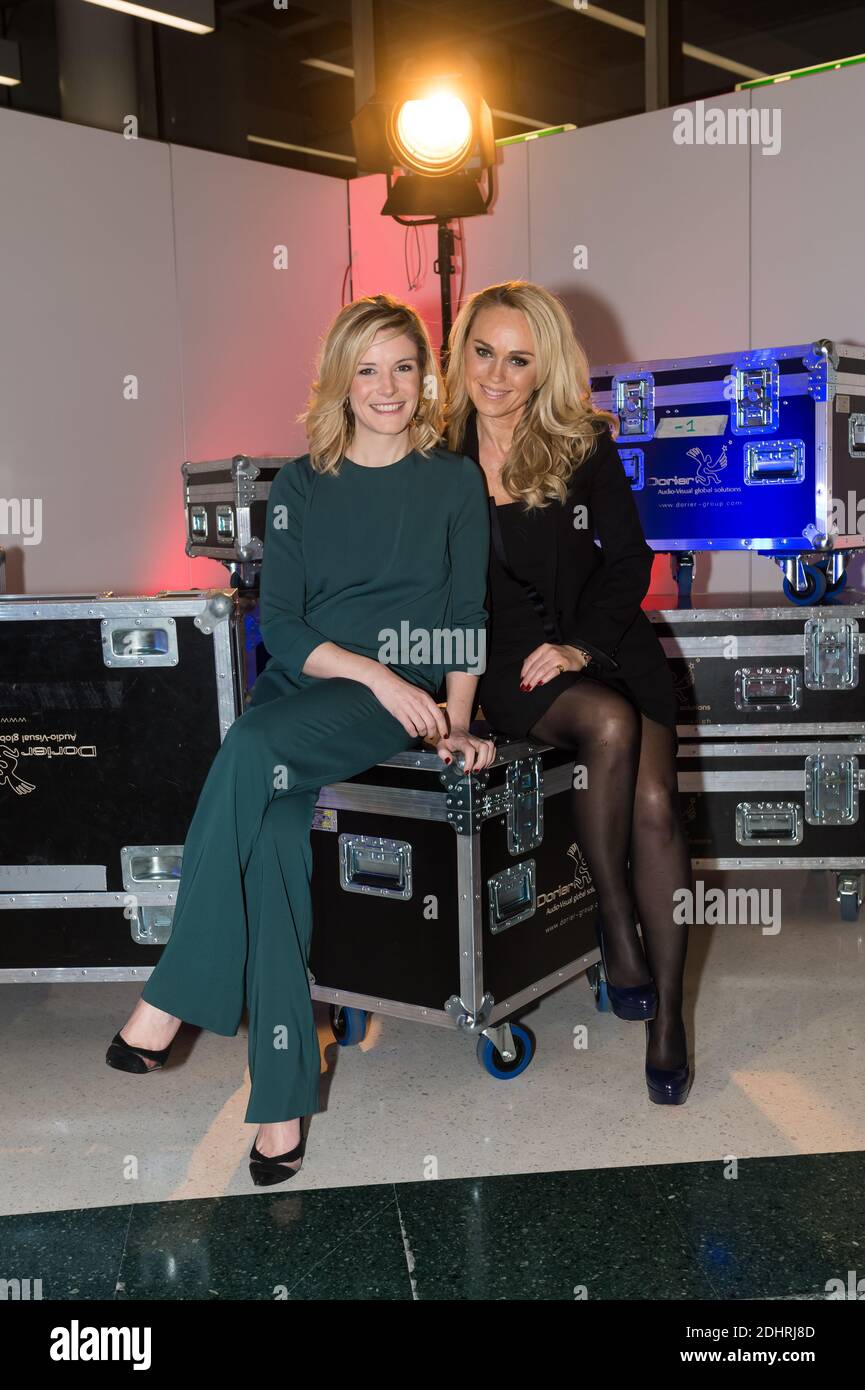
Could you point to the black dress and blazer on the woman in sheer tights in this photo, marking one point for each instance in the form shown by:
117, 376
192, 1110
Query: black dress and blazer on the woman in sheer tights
593, 593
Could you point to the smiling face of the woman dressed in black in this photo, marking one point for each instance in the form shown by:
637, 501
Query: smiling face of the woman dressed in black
501, 369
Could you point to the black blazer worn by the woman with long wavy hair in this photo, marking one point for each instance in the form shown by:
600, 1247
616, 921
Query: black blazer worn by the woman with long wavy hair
595, 593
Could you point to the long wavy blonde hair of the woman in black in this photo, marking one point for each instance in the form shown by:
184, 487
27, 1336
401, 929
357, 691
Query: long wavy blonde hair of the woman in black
560, 425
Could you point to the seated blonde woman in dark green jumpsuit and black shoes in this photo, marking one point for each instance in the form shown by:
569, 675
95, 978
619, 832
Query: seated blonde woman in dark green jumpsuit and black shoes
376, 533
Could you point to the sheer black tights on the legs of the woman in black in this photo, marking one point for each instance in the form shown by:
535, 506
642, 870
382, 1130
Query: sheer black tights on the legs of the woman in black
628, 801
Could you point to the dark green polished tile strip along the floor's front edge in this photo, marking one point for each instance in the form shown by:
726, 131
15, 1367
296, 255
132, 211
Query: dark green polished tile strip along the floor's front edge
781, 1229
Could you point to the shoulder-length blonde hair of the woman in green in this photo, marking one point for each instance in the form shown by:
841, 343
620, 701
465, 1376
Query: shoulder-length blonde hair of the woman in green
329, 419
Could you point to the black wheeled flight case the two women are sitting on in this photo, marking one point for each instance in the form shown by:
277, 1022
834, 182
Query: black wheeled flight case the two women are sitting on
451, 900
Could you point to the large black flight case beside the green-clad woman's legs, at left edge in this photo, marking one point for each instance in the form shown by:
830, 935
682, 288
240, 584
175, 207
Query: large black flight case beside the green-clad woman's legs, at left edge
112, 711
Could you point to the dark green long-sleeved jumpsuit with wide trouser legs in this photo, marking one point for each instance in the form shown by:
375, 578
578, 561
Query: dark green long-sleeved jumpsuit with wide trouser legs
353, 559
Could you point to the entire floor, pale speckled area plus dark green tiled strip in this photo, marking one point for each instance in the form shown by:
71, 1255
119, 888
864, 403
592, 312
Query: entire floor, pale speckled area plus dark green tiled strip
414, 1167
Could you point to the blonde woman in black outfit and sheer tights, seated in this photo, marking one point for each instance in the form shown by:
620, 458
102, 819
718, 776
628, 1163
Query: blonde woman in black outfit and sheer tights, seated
572, 658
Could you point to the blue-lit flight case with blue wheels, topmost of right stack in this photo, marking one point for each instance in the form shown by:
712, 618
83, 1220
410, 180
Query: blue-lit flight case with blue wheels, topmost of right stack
759, 451
